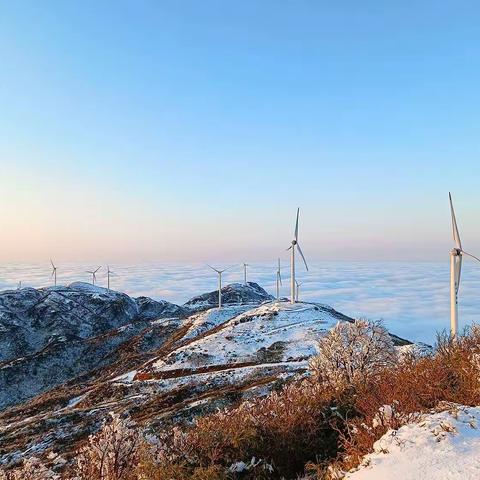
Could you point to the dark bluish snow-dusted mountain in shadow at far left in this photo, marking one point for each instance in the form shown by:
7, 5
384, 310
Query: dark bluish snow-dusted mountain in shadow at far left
50, 335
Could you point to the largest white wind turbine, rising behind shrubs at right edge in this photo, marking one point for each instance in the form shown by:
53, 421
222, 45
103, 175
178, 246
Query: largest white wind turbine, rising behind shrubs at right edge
455, 270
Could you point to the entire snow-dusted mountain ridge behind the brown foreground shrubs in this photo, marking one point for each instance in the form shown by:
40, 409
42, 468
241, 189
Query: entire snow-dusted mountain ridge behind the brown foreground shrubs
88, 351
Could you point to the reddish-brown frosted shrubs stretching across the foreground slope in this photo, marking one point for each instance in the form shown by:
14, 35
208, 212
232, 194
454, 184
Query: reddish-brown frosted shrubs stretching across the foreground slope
314, 427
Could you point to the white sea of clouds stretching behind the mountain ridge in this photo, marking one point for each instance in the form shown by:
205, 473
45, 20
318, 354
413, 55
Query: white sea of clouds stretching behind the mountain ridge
411, 298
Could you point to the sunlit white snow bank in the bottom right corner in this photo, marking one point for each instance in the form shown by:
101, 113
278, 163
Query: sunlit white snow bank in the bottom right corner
440, 446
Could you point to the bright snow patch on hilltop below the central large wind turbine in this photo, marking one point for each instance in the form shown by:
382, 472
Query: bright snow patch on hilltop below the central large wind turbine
276, 330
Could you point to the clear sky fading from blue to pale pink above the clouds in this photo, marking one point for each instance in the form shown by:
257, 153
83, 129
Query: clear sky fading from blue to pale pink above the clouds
191, 130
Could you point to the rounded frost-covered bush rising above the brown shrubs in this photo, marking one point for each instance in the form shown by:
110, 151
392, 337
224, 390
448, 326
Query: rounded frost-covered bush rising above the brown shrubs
352, 352
